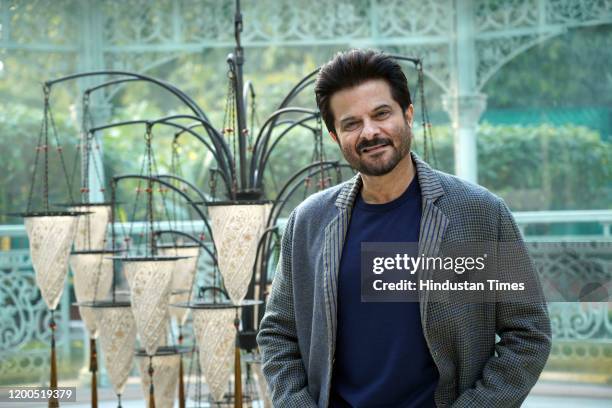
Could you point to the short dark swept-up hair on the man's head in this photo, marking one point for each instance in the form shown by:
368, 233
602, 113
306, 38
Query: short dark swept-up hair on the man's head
351, 68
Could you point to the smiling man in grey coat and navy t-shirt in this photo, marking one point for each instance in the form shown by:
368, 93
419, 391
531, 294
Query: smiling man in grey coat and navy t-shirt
320, 344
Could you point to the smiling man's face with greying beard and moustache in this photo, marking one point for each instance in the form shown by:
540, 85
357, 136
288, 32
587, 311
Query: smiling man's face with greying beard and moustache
373, 132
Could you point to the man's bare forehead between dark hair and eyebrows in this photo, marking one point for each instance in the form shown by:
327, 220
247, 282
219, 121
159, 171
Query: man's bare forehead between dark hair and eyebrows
361, 99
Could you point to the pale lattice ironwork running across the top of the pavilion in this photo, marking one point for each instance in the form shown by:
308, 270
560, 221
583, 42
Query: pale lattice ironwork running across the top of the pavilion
157, 31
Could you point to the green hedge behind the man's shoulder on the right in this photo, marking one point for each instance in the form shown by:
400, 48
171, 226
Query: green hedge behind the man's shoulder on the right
538, 167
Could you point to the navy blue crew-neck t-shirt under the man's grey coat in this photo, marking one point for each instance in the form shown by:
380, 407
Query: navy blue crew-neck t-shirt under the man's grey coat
381, 357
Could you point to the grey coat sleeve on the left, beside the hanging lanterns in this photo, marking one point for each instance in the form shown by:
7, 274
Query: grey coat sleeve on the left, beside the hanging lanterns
282, 362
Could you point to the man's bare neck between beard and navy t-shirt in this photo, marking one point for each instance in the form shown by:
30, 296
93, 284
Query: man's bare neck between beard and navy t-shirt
386, 188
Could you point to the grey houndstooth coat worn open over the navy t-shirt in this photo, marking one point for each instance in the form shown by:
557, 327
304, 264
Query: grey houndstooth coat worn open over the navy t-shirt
297, 334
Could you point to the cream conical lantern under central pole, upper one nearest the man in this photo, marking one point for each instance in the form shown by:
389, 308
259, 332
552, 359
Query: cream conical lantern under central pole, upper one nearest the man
236, 232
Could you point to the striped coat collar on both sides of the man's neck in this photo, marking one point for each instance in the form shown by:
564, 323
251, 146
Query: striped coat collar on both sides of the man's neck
429, 182
